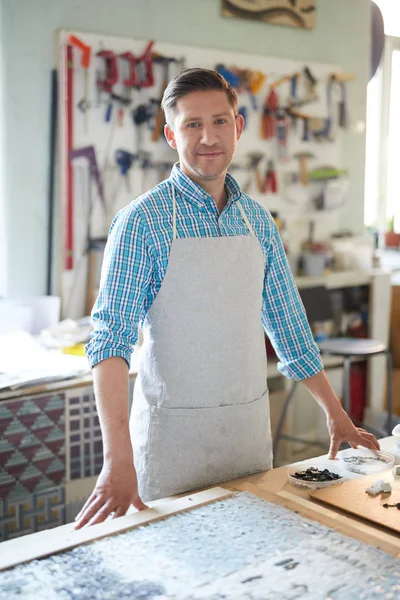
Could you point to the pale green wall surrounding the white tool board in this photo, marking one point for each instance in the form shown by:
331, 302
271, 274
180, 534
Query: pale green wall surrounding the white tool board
28, 42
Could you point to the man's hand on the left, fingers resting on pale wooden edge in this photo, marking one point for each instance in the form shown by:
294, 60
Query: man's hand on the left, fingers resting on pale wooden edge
116, 489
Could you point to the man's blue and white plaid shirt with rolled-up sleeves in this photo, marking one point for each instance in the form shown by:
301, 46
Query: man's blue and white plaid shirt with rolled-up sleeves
136, 259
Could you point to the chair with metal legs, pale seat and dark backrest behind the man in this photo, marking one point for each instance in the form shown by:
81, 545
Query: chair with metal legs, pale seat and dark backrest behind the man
317, 302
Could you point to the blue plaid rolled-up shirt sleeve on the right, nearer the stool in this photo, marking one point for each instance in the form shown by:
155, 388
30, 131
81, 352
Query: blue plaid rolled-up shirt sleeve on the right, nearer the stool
284, 317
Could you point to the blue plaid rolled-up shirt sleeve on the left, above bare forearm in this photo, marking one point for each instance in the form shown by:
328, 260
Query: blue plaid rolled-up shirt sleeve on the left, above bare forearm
125, 281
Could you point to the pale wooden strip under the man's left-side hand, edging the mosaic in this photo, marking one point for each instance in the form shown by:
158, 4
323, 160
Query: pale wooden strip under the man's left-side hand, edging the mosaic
54, 541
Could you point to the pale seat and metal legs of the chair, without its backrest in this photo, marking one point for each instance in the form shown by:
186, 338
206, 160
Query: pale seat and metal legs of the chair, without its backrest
347, 348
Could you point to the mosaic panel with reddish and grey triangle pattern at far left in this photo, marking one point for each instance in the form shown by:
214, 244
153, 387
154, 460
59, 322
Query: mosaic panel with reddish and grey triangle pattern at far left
32, 445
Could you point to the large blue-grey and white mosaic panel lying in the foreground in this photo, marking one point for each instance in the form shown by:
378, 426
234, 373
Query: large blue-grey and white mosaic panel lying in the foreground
240, 548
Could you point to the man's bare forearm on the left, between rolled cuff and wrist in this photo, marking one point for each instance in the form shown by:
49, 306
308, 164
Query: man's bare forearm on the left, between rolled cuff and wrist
111, 384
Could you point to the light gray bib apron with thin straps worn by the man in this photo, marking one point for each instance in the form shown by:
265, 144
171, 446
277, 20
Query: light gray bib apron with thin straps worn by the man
200, 412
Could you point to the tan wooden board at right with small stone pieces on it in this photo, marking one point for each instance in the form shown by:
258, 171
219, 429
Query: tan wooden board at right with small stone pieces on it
351, 497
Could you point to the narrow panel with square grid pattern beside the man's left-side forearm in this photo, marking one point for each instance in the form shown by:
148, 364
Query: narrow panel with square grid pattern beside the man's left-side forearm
84, 435
